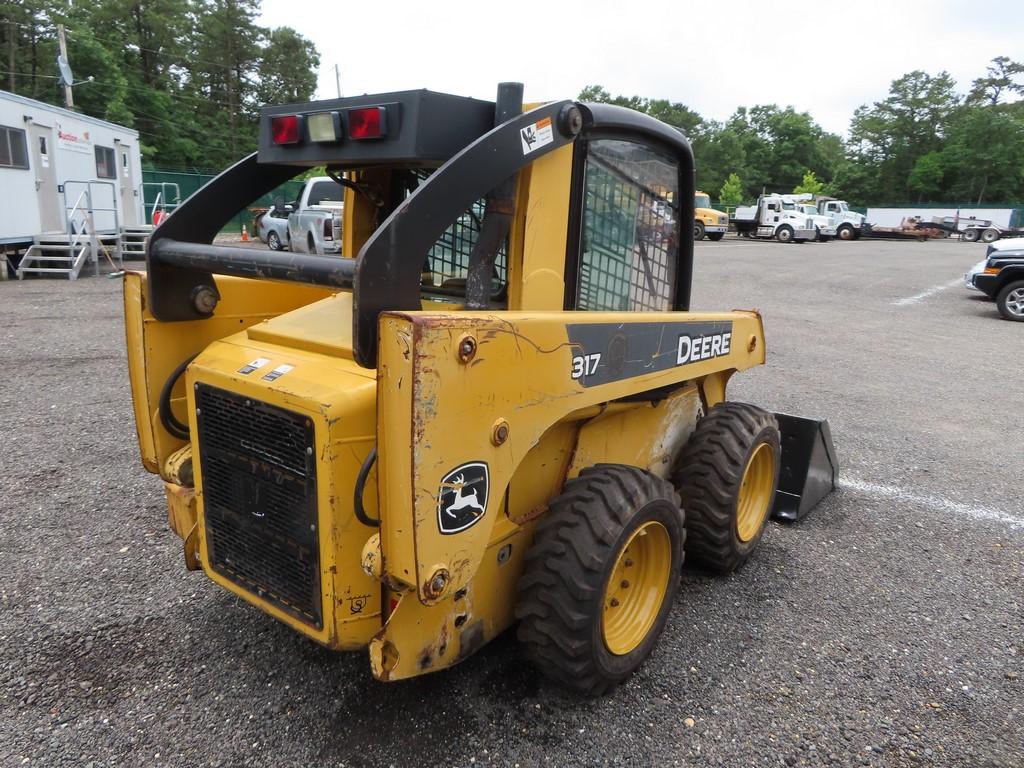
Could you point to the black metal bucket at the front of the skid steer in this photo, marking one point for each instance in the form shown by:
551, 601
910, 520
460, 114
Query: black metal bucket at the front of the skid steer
809, 471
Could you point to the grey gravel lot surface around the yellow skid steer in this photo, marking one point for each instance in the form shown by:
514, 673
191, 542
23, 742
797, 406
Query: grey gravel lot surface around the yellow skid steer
885, 630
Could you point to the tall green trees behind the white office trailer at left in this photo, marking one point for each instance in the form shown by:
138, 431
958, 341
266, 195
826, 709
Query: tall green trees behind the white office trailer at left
189, 75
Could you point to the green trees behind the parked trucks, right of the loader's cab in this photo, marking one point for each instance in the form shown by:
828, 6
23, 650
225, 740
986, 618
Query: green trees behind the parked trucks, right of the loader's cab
924, 143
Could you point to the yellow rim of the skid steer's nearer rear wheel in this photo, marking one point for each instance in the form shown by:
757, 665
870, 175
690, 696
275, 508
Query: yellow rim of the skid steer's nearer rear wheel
636, 588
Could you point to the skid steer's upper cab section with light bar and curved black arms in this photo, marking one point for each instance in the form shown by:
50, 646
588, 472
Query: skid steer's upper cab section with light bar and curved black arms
463, 166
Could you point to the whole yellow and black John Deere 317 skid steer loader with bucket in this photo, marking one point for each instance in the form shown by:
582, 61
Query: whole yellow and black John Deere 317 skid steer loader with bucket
495, 408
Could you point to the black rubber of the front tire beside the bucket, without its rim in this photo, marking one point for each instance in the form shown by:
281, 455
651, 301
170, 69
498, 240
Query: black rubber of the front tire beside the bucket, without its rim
708, 476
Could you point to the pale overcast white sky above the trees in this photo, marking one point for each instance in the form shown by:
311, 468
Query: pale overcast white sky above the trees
823, 58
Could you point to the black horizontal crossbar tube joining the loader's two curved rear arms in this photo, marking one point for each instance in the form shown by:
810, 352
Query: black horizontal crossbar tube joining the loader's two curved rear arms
251, 263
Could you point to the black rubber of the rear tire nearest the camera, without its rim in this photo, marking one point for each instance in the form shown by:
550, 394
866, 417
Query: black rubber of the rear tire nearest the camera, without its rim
575, 550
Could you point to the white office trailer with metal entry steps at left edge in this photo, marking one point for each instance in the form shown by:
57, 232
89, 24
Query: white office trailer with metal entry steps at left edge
71, 188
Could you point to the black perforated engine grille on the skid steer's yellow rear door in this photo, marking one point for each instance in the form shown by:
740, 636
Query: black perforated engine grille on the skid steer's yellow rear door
260, 497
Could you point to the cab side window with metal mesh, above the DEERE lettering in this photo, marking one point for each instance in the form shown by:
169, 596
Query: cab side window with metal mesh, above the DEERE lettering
629, 243
